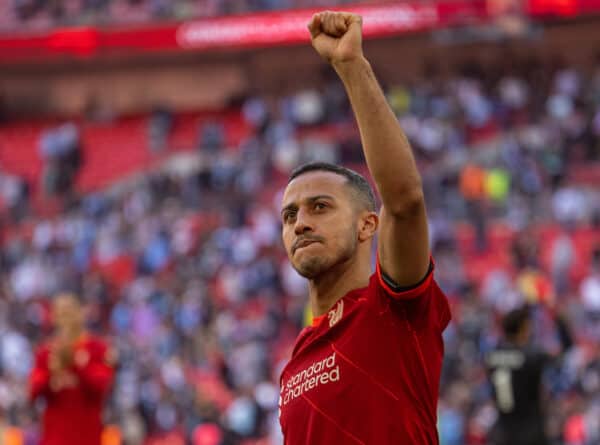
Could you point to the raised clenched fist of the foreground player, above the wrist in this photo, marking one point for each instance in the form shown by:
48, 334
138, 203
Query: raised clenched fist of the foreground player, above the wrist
337, 36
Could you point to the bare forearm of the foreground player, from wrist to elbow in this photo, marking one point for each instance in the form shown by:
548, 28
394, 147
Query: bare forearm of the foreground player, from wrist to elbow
387, 150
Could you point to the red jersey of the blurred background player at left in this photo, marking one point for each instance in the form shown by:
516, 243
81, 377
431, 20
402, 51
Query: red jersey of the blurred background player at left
73, 414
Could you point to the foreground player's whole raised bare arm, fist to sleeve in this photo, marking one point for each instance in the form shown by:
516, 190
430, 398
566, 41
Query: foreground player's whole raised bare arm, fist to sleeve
403, 243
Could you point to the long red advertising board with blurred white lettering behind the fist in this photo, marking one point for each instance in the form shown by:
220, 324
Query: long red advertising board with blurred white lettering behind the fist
256, 30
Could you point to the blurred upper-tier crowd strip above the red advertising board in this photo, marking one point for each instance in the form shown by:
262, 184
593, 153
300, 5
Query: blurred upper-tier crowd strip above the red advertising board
42, 14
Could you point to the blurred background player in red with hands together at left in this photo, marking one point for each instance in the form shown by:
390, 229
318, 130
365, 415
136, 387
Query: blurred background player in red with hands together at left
73, 373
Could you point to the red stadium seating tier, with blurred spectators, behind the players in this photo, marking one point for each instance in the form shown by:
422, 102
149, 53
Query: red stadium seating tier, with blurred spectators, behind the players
183, 267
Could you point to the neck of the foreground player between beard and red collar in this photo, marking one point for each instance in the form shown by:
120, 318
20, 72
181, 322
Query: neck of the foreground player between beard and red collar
329, 287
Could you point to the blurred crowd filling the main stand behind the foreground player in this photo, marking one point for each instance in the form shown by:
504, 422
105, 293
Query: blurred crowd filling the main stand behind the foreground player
183, 270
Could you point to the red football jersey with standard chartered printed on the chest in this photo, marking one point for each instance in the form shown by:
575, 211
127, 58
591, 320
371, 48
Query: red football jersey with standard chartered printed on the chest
368, 372
